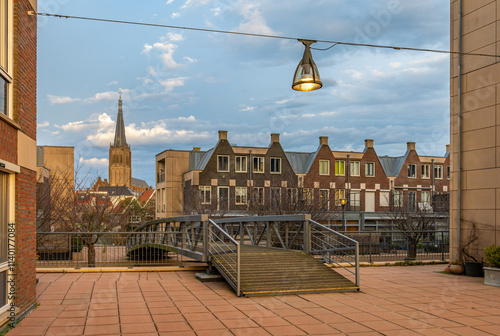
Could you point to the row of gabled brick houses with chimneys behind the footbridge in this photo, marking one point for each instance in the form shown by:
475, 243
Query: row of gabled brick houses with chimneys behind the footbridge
230, 180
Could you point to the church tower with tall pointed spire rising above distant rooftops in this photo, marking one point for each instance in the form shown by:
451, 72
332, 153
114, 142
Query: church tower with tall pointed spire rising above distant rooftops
120, 157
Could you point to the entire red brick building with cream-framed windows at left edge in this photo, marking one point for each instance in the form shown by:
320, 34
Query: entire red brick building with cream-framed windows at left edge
18, 38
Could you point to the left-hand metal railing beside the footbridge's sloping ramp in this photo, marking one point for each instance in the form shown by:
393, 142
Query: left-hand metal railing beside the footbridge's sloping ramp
225, 252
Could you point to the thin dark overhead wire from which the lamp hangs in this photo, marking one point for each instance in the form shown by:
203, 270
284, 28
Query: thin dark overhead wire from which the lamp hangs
266, 35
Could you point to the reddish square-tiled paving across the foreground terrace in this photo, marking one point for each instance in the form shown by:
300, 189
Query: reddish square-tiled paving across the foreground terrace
415, 300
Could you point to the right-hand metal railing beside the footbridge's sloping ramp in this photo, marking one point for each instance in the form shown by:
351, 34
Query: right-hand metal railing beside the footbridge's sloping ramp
334, 248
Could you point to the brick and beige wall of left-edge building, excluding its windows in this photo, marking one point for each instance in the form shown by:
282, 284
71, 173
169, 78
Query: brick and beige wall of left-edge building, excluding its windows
18, 152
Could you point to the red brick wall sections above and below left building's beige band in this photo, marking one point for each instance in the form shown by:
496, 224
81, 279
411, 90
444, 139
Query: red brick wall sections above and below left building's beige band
25, 37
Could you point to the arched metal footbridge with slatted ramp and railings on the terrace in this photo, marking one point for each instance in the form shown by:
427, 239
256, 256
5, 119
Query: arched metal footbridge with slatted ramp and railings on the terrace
263, 255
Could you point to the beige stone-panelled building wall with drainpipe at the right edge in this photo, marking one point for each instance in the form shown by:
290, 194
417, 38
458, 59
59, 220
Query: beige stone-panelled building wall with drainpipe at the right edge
480, 182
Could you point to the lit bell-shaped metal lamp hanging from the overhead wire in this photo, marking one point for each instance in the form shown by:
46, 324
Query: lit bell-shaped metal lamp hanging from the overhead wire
306, 77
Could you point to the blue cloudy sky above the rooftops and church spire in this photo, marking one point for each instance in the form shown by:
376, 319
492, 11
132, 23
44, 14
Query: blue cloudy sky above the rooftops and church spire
180, 87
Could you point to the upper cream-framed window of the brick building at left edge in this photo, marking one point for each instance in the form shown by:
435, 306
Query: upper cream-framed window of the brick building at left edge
5, 57
